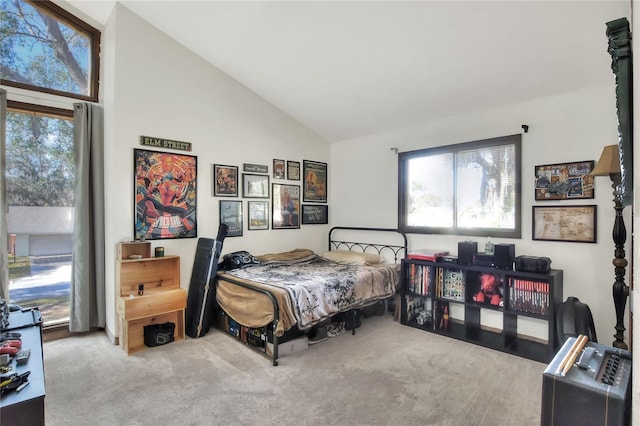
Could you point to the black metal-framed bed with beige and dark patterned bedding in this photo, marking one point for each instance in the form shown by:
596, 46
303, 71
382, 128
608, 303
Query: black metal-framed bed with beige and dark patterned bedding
298, 289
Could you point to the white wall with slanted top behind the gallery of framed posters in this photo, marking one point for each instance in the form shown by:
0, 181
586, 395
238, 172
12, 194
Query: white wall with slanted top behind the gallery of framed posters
155, 87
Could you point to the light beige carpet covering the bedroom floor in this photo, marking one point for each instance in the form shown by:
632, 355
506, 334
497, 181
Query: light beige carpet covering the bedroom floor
387, 374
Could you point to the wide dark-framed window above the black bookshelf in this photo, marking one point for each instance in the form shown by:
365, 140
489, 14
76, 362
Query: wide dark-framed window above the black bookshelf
471, 189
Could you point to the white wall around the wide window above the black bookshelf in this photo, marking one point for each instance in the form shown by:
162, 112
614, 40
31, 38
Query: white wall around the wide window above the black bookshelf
570, 127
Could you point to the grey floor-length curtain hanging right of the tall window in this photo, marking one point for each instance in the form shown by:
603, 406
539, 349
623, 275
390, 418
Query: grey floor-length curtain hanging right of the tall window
87, 305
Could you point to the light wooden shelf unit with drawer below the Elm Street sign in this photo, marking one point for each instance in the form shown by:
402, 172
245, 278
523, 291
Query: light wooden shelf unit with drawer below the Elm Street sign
162, 299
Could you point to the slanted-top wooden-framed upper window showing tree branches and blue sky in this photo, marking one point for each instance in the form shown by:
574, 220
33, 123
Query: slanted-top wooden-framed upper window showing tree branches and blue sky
45, 48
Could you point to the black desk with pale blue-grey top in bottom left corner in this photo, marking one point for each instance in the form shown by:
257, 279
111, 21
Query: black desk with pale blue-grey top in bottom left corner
27, 406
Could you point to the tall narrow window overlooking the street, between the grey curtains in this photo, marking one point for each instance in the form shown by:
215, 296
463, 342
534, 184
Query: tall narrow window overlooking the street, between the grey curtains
39, 173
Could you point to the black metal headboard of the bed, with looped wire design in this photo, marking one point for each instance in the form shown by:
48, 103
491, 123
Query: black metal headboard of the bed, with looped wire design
392, 244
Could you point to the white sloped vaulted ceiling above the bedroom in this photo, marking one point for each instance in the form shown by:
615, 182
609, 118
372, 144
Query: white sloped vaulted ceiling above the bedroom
351, 68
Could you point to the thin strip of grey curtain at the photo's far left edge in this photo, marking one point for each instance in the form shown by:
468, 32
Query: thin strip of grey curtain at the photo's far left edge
4, 257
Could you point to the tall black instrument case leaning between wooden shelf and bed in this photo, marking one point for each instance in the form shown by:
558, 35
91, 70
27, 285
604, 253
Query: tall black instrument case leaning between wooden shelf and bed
202, 295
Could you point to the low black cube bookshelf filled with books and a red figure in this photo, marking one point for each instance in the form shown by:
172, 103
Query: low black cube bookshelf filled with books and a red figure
427, 286
